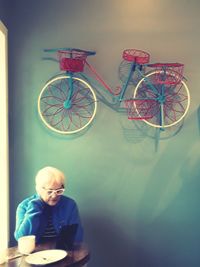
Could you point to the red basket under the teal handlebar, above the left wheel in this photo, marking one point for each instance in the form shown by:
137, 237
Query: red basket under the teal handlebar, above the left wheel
72, 61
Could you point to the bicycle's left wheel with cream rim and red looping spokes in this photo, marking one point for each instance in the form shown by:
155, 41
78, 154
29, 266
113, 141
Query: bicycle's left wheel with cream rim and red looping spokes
53, 112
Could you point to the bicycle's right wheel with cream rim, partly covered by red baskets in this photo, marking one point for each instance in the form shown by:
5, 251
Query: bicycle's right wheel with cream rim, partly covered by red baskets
169, 103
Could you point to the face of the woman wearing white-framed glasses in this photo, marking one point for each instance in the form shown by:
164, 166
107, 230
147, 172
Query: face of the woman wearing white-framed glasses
51, 192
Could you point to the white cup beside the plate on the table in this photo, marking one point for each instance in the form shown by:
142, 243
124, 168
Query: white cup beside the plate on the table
26, 244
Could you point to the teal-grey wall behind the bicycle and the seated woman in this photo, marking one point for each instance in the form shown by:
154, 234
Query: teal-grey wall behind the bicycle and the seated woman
139, 204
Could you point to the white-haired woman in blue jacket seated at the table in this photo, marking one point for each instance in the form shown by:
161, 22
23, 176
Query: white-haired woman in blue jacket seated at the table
49, 214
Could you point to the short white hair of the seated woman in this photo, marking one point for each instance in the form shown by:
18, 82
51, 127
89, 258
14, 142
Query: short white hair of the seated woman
49, 174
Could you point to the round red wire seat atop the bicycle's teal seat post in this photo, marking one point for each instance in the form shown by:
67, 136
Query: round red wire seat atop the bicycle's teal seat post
137, 56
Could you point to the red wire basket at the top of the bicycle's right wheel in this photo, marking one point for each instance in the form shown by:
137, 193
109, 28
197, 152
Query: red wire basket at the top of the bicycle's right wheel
168, 73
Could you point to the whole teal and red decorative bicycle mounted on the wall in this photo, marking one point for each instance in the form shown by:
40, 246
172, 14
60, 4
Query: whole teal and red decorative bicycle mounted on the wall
67, 103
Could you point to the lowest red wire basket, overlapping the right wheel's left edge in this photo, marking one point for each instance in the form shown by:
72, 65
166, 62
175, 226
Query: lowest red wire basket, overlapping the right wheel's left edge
140, 109
